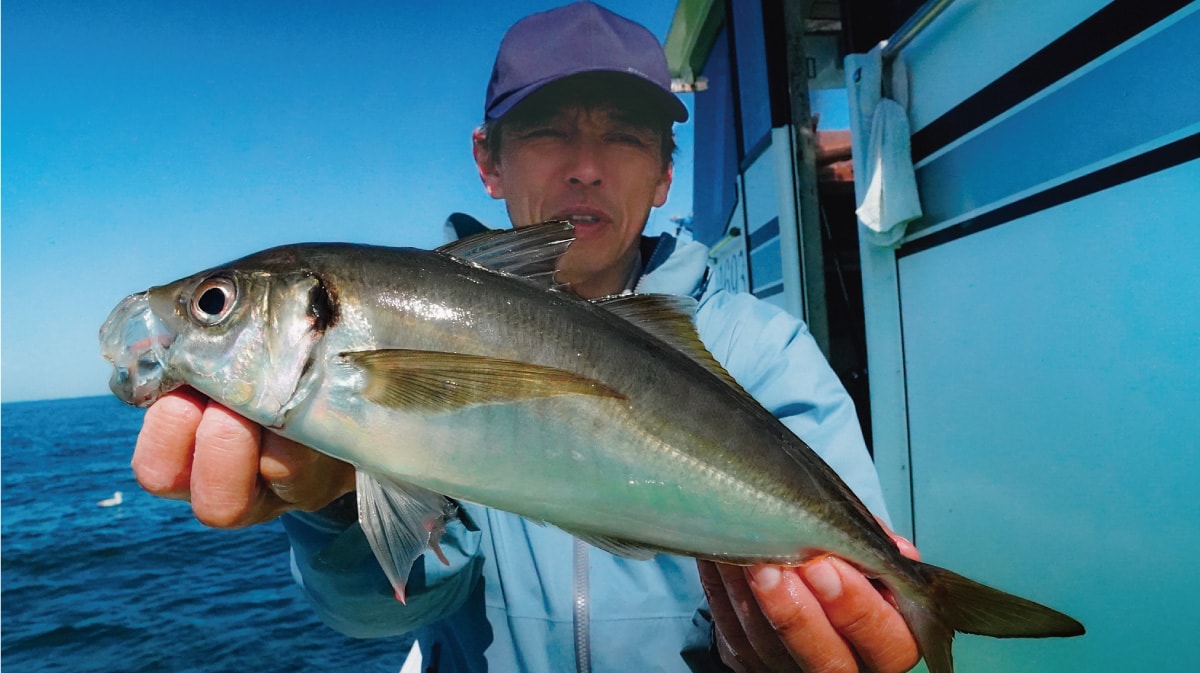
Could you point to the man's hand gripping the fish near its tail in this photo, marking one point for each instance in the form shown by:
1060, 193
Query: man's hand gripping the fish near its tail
821, 617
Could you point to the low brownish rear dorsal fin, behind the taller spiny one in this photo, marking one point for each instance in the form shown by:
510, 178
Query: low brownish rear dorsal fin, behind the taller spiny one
671, 319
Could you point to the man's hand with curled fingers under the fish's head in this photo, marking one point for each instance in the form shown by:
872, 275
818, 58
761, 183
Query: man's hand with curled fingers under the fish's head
235, 473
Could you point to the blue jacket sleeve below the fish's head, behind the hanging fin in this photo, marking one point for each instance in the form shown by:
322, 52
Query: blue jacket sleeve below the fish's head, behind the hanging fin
334, 566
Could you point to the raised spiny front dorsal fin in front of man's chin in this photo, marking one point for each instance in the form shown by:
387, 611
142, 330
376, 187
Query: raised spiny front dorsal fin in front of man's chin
531, 253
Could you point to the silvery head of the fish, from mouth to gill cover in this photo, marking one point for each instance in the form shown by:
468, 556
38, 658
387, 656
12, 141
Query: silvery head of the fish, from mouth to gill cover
244, 336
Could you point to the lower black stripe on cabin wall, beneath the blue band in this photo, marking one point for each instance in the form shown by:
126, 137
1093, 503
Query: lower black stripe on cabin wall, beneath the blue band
1161, 159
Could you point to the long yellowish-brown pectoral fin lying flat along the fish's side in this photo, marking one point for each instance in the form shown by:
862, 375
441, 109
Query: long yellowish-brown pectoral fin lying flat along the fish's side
443, 382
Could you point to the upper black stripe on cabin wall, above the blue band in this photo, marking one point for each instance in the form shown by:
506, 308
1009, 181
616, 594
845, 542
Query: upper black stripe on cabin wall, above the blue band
1103, 32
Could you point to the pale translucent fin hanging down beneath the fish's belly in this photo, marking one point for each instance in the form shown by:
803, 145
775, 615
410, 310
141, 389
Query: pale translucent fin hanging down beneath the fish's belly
400, 521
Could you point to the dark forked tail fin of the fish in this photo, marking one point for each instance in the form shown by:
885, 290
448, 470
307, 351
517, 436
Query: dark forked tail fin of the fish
951, 603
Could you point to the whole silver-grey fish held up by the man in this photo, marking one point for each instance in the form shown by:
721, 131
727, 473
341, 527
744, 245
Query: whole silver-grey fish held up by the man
471, 374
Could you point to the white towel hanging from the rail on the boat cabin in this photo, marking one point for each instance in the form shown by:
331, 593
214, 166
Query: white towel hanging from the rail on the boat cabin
891, 199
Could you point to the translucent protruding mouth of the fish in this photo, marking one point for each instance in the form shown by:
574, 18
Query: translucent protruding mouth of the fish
136, 341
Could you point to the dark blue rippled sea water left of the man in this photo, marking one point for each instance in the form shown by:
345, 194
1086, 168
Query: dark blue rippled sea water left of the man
140, 587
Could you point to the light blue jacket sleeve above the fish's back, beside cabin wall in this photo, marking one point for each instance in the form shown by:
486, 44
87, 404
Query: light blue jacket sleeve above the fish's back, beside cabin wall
776, 359
